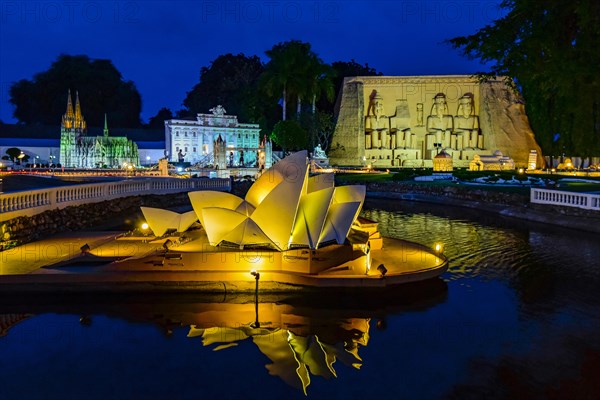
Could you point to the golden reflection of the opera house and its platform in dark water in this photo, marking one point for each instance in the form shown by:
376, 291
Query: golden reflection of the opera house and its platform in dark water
303, 337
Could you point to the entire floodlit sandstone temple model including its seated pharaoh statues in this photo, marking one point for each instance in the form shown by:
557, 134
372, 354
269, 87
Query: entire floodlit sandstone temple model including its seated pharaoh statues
407, 121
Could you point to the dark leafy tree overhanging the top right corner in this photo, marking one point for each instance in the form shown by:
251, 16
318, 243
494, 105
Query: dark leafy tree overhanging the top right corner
549, 48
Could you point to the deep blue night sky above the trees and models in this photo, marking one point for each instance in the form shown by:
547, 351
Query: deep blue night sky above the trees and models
162, 45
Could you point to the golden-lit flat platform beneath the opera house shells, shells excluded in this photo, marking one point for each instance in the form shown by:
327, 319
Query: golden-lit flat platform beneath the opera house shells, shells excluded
141, 264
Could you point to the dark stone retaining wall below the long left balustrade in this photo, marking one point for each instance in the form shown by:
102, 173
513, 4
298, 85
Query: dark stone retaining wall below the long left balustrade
22, 230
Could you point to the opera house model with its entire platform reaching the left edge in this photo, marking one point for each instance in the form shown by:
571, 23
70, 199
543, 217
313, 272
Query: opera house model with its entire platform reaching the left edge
292, 231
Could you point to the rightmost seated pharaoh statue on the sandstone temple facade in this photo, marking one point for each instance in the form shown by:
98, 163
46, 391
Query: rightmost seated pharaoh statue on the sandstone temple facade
466, 124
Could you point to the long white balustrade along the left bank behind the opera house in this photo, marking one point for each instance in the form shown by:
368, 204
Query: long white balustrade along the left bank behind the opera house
34, 202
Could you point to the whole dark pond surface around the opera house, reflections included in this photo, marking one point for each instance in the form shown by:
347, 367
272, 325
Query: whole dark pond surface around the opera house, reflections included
516, 316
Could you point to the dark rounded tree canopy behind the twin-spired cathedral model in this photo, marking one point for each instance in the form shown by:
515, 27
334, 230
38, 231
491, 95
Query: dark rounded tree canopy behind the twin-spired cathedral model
101, 88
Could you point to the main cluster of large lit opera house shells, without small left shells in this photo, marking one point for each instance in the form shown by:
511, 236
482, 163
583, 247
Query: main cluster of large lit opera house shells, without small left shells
284, 209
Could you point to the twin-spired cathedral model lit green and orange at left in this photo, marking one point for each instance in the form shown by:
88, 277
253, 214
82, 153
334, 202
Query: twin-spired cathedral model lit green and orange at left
78, 150
